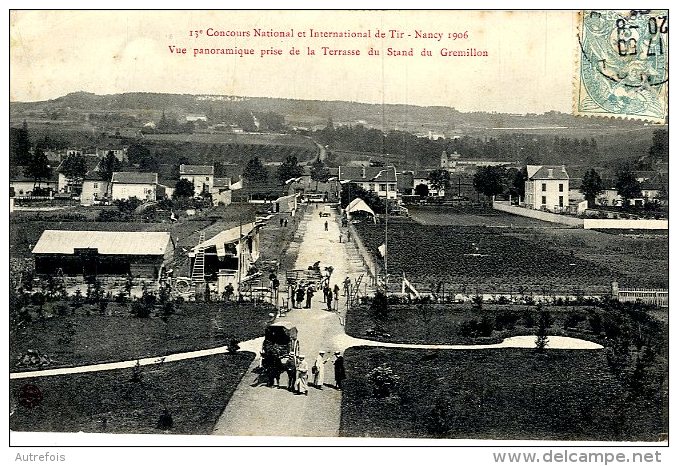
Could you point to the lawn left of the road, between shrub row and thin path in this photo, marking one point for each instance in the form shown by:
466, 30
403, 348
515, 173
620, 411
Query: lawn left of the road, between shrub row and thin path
81, 339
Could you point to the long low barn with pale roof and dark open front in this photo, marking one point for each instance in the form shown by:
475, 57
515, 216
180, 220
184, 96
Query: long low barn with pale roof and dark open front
103, 253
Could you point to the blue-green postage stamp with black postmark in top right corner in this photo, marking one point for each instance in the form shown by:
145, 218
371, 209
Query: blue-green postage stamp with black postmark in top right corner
622, 69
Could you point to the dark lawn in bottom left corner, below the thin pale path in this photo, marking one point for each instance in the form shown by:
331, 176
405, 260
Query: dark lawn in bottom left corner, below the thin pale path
194, 391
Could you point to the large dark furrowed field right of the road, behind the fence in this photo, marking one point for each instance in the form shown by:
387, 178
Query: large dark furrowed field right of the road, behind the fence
483, 260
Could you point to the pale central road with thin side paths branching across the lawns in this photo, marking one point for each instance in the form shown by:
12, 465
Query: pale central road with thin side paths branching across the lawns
265, 411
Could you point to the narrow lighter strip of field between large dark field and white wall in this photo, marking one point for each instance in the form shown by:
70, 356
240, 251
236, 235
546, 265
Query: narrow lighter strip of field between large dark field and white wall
473, 216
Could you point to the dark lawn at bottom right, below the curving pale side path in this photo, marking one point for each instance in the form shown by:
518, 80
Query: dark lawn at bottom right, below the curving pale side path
496, 394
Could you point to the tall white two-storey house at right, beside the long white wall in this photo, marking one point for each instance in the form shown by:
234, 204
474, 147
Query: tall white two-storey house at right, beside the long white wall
547, 188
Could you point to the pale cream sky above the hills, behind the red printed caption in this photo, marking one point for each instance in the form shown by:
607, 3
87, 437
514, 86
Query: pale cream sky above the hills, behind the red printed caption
529, 67
